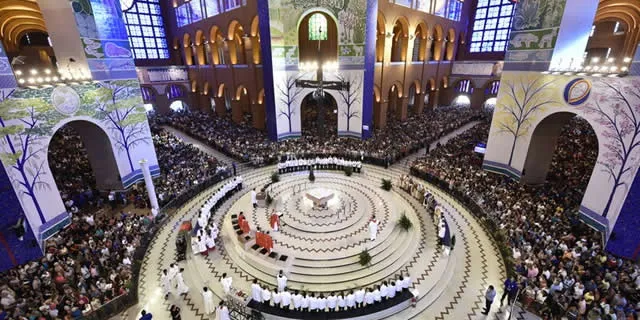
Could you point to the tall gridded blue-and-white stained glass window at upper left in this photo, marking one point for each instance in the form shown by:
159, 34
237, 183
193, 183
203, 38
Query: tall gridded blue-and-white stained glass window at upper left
146, 30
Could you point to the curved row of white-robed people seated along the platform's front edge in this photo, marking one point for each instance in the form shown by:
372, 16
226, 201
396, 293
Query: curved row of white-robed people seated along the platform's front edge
282, 297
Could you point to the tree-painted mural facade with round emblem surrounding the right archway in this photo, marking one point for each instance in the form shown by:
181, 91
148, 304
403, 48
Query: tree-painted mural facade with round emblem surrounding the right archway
610, 105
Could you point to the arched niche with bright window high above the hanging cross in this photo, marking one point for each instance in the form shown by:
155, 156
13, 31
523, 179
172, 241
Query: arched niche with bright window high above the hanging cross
308, 47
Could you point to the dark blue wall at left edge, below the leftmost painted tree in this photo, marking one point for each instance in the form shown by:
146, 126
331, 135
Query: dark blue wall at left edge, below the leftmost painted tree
12, 251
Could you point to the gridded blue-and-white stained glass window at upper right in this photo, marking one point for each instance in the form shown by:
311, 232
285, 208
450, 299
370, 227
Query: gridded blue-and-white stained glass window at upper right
491, 26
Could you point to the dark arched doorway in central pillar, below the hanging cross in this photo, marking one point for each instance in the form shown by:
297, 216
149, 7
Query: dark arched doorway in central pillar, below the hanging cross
319, 115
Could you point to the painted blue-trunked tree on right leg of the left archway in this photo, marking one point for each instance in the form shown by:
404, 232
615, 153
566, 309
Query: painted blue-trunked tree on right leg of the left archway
119, 106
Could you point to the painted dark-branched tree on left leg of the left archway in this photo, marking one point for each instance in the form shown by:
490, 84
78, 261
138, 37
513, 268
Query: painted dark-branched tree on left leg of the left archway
24, 144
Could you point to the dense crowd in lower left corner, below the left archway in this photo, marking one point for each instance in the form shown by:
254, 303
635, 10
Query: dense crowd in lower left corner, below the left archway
85, 265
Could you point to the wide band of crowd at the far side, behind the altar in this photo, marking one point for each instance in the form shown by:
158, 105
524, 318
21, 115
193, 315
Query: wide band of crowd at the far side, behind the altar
387, 145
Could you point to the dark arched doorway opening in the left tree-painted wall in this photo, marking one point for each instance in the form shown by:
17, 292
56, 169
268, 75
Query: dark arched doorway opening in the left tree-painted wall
82, 162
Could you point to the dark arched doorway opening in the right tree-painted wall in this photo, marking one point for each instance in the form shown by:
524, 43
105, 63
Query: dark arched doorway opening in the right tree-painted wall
562, 145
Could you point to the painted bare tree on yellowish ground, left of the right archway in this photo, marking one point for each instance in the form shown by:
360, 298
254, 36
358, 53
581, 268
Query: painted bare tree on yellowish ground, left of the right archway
522, 99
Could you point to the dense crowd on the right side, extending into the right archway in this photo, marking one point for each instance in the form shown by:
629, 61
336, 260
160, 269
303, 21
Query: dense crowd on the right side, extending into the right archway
560, 265
